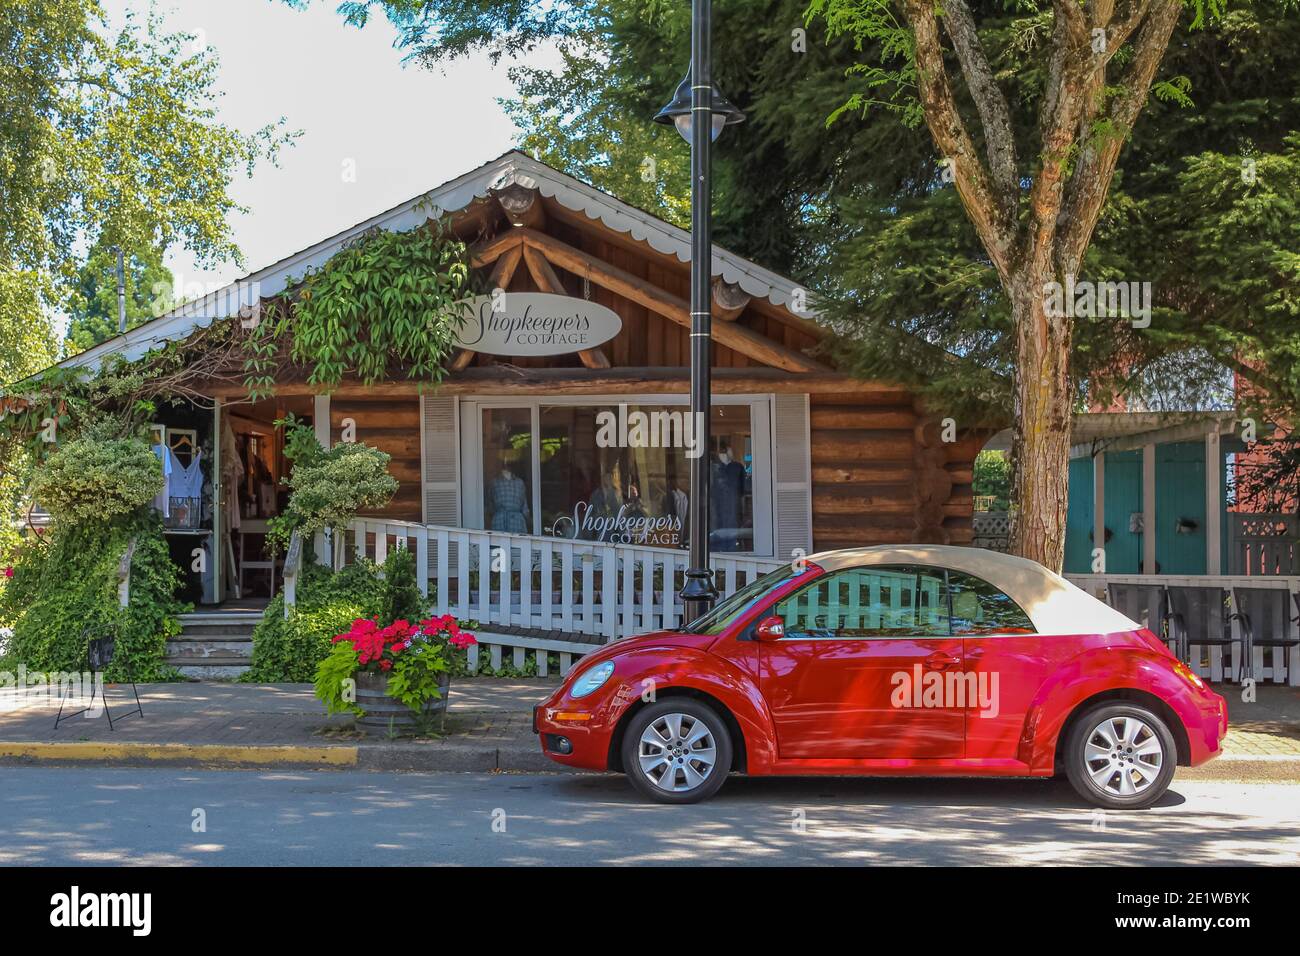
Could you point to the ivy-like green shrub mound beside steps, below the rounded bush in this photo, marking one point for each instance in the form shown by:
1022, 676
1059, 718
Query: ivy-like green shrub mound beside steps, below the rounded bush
64, 592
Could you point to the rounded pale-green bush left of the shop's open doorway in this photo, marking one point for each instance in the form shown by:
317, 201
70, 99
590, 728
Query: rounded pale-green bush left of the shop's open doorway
97, 481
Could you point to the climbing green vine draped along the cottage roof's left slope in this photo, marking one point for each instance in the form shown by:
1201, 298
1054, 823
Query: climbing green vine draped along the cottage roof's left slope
387, 301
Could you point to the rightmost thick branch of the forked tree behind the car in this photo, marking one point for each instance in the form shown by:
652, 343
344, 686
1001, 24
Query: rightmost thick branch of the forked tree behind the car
1095, 167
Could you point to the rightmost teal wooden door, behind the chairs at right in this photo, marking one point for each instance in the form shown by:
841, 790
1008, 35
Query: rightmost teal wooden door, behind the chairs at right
1181, 499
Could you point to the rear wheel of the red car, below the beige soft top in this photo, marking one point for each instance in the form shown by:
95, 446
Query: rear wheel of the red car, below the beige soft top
1121, 756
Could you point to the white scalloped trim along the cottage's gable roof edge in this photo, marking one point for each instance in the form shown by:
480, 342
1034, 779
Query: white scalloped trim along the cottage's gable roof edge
510, 168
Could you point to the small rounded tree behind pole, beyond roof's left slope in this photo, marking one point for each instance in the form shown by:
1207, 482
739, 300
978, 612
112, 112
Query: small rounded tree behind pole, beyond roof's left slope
94, 304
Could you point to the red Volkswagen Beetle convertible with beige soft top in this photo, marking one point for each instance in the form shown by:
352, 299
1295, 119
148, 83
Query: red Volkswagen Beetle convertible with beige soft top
887, 661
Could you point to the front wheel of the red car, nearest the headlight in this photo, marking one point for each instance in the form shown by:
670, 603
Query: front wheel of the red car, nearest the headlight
678, 751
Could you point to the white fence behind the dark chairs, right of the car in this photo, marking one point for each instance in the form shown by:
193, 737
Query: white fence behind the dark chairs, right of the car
1276, 665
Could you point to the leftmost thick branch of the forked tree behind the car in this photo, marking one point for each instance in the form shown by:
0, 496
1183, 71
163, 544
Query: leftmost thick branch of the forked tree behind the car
974, 185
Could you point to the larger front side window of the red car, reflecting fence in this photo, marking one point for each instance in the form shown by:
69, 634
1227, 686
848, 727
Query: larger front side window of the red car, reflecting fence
869, 603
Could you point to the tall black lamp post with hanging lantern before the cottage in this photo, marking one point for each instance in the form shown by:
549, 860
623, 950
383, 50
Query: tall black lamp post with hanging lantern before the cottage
697, 97
